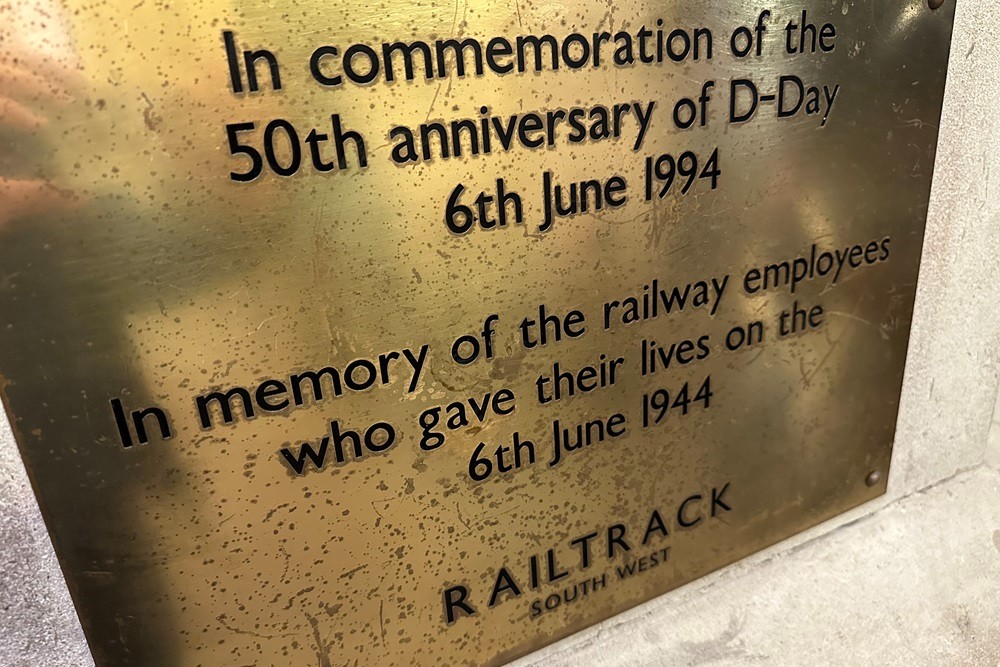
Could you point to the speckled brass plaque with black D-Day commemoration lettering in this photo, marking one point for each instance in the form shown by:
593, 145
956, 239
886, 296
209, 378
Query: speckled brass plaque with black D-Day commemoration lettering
431, 332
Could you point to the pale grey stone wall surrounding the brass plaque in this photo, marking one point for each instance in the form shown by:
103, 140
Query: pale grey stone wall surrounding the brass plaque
912, 578
